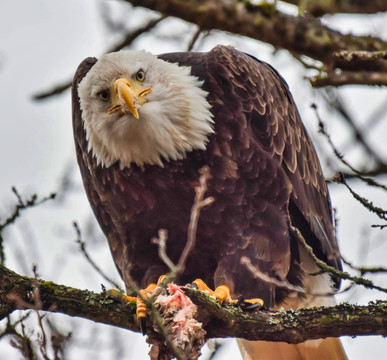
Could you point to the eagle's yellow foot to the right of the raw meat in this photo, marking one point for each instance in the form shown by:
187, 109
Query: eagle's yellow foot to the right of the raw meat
222, 294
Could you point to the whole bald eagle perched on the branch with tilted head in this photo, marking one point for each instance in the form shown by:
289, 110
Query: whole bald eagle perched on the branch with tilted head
143, 127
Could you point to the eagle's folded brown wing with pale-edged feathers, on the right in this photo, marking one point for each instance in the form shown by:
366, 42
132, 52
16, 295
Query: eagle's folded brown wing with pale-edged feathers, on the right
269, 104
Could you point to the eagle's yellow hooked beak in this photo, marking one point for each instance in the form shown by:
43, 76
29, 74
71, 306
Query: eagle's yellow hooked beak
128, 96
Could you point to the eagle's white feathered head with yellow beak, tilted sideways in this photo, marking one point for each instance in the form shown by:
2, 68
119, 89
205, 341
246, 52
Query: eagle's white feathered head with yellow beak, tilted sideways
143, 110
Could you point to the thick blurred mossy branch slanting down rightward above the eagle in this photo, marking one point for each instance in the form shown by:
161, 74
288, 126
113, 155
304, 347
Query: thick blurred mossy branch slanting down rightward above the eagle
265, 23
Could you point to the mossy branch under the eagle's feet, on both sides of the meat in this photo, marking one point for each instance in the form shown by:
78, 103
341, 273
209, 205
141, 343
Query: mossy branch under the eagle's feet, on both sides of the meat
17, 292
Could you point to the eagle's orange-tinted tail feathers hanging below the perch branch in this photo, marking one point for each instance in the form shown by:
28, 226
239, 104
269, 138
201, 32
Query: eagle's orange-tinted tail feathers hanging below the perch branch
329, 348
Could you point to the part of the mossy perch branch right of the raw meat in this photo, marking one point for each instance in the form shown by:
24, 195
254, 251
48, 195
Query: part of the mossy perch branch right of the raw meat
293, 326
